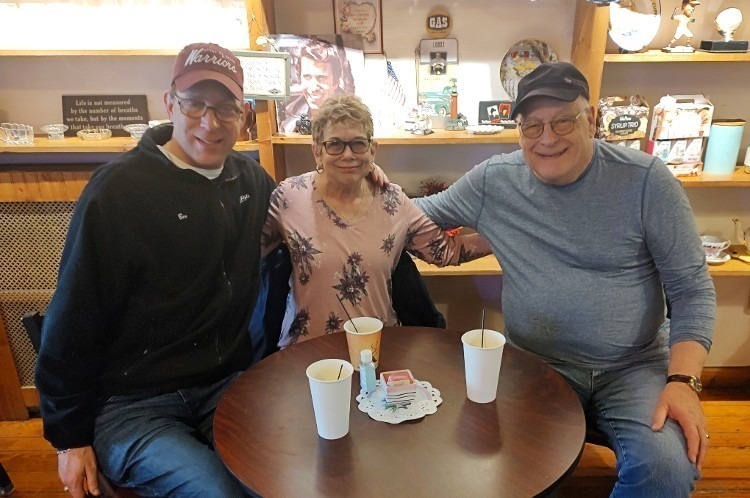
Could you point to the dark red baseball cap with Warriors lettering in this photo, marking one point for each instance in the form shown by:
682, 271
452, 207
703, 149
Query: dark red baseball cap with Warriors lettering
207, 61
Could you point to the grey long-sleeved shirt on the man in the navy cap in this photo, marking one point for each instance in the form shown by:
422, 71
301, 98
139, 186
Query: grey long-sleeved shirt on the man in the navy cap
583, 264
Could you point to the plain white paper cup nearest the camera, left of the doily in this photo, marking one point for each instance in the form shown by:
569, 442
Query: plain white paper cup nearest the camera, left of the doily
331, 394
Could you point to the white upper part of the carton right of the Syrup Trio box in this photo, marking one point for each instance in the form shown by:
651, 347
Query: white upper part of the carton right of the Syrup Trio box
681, 116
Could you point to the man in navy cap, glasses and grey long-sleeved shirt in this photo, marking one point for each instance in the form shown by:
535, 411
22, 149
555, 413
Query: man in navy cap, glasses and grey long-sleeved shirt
591, 236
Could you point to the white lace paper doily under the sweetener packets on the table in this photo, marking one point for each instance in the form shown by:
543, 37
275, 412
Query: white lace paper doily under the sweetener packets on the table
374, 404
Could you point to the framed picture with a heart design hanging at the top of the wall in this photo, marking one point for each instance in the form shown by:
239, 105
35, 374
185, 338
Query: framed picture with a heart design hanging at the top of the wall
360, 17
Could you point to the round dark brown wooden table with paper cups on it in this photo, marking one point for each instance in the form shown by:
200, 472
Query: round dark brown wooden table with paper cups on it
523, 444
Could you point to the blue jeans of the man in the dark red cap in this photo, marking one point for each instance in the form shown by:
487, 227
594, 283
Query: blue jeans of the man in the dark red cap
163, 445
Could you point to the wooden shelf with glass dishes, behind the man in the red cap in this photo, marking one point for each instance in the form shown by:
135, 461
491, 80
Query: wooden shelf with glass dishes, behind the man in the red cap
43, 145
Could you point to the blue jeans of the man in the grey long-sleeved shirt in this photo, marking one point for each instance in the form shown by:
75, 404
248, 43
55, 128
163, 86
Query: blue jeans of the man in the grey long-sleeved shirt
619, 405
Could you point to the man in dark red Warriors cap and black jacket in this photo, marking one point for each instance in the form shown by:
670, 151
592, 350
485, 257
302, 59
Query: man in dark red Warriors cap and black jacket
149, 322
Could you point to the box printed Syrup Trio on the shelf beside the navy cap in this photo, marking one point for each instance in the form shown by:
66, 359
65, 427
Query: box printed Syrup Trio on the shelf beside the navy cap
622, 118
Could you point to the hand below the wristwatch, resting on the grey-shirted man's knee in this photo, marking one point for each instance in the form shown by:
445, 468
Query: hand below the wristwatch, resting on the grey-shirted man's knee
681, 404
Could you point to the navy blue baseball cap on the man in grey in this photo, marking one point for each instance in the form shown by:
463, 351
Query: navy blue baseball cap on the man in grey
558, 80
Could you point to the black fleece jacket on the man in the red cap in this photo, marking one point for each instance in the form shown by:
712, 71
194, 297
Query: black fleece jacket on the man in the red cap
156, 286
